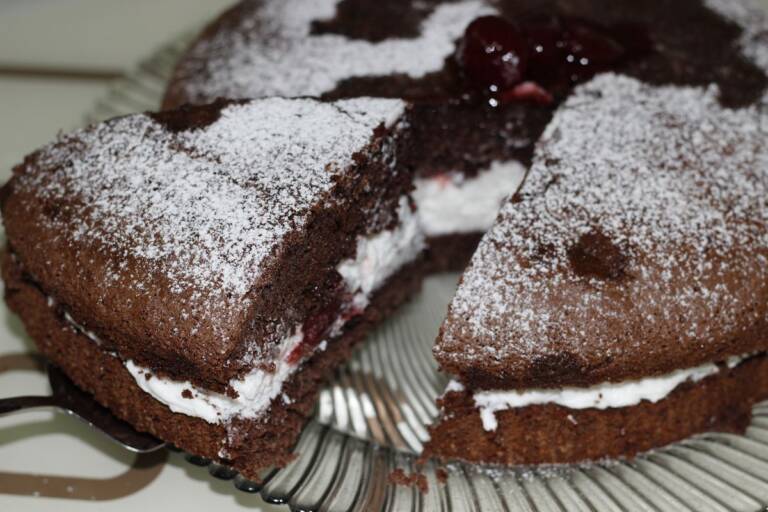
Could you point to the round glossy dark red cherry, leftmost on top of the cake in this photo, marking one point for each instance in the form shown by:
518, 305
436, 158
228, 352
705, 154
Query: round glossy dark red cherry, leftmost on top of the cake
493, 53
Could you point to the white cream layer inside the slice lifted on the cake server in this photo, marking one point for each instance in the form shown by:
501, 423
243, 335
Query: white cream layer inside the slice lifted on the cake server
378, 258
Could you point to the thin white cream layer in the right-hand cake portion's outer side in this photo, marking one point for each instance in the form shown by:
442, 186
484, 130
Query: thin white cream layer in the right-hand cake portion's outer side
602, 396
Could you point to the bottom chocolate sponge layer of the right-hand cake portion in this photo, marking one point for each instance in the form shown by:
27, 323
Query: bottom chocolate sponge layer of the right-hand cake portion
551, 434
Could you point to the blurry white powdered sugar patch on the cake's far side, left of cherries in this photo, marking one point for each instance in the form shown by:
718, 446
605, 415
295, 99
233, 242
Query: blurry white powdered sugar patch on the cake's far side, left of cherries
275, 54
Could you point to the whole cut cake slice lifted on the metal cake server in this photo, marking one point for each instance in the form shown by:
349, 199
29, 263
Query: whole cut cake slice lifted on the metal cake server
201, 271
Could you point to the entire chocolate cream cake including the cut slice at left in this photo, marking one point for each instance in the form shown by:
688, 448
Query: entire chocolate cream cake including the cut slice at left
224, 258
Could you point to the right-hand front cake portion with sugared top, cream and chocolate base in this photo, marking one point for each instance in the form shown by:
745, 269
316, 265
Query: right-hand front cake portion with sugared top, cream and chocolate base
620, 302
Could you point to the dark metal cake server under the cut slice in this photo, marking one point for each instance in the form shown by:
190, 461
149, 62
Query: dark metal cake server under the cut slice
67, 397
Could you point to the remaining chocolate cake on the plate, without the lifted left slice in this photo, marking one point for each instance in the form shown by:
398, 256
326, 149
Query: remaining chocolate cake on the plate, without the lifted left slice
481, 105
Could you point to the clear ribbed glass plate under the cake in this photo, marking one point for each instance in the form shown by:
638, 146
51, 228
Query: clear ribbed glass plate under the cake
373, 419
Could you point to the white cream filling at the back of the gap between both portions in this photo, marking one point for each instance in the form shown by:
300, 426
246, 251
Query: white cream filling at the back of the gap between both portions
453, 204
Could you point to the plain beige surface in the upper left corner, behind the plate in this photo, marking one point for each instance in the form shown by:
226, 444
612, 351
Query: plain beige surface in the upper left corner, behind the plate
108, 34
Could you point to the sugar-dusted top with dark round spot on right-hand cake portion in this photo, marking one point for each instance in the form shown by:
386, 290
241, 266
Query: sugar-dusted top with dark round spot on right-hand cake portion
639, 245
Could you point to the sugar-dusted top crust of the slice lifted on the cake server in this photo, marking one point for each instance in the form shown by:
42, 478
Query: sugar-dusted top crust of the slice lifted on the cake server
162, 224
